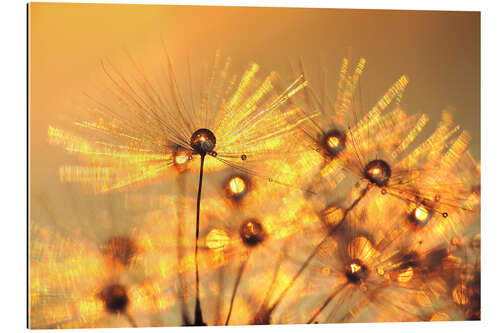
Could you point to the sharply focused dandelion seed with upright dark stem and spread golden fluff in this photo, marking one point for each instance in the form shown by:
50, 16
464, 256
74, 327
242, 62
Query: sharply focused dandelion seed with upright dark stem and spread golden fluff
137, 132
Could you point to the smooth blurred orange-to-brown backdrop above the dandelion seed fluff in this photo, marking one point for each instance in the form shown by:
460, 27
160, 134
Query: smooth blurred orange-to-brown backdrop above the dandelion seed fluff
439, 51
